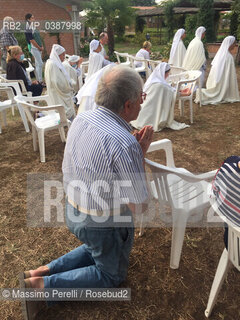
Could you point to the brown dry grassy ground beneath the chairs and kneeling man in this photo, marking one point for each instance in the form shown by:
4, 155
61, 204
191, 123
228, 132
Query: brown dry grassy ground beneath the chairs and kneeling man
157, 292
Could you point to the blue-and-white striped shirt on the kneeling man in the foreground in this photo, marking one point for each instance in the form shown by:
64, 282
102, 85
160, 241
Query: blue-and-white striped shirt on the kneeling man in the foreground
103, 162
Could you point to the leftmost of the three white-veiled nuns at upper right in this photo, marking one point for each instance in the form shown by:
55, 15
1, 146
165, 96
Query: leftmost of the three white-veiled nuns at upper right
178, 49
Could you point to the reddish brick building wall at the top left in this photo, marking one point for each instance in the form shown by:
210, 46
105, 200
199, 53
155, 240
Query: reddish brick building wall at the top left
42, 10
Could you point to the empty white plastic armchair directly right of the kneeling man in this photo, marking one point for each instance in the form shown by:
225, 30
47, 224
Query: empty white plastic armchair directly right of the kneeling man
177, 188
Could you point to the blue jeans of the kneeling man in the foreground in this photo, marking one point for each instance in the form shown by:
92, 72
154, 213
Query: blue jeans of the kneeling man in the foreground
101, 262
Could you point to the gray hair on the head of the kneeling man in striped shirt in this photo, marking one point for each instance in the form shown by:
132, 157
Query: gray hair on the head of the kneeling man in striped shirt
117, 86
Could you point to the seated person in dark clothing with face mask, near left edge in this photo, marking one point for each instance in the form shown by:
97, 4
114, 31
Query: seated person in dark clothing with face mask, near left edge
16, 70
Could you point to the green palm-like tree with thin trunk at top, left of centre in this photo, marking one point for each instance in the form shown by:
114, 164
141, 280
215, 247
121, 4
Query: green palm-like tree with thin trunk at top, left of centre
110, 14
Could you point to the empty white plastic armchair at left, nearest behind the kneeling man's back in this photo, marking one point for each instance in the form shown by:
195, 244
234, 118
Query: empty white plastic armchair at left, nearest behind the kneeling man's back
54, 120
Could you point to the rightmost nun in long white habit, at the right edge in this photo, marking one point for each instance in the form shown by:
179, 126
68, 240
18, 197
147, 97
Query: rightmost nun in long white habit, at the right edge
222, 83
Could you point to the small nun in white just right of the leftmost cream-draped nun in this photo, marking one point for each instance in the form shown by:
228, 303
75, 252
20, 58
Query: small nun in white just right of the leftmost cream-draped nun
73, 67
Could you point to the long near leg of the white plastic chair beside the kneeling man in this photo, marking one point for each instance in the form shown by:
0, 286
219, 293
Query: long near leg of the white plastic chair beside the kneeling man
178, 232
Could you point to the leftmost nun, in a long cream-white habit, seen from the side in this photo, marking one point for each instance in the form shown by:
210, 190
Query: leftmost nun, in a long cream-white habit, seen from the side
59, 84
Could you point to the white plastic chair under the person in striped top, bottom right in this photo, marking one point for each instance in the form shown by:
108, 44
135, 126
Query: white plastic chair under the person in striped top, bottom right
229, 258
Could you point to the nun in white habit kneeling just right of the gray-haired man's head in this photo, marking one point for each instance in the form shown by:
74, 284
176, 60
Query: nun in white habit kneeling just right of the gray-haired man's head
158, 108
